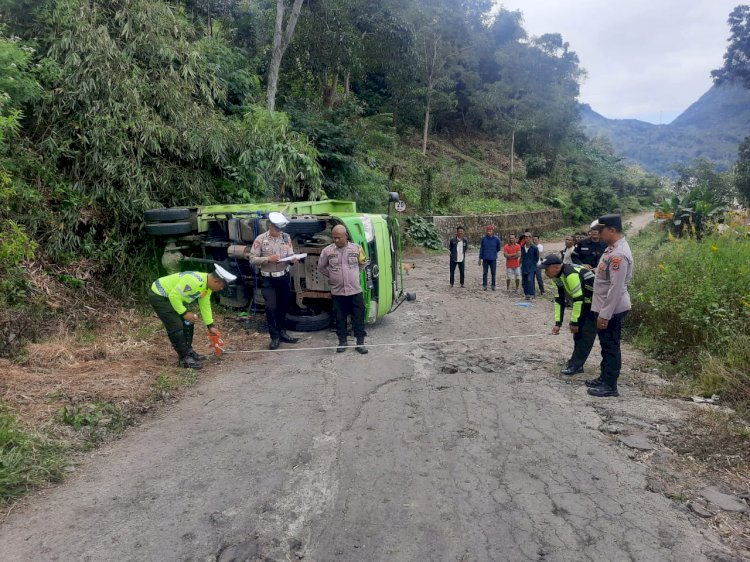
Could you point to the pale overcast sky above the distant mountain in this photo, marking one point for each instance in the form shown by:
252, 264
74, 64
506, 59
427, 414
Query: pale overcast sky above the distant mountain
645, 59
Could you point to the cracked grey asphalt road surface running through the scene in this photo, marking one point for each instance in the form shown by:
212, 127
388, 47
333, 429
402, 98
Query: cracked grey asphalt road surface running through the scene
457, 452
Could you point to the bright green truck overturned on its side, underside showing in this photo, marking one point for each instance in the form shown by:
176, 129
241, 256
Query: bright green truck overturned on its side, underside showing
198, 237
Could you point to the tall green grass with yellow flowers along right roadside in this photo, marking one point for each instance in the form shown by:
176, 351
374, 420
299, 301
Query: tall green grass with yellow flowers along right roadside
691, 305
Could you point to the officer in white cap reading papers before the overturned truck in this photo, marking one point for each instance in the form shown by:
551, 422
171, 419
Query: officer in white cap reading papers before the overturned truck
267, 252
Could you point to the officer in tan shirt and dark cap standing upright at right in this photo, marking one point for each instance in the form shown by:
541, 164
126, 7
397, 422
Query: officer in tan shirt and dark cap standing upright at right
610, 302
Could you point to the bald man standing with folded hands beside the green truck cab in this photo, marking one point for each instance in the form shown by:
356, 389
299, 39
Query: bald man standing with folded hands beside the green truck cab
342, 262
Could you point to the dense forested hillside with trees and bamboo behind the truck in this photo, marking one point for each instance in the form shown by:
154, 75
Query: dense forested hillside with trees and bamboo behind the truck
110, 108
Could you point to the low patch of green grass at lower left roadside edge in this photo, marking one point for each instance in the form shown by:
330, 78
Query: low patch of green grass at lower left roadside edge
27, 460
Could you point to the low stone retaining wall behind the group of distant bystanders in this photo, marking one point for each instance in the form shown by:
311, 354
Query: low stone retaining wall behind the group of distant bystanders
535, 221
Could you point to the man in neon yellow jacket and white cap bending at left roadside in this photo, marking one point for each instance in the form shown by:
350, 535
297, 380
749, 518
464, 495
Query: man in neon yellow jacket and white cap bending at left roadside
168, 297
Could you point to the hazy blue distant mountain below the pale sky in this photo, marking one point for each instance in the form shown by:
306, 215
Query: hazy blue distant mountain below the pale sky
711, 128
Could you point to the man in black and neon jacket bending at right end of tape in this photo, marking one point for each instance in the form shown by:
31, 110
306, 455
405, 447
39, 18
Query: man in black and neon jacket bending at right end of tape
577, 283
